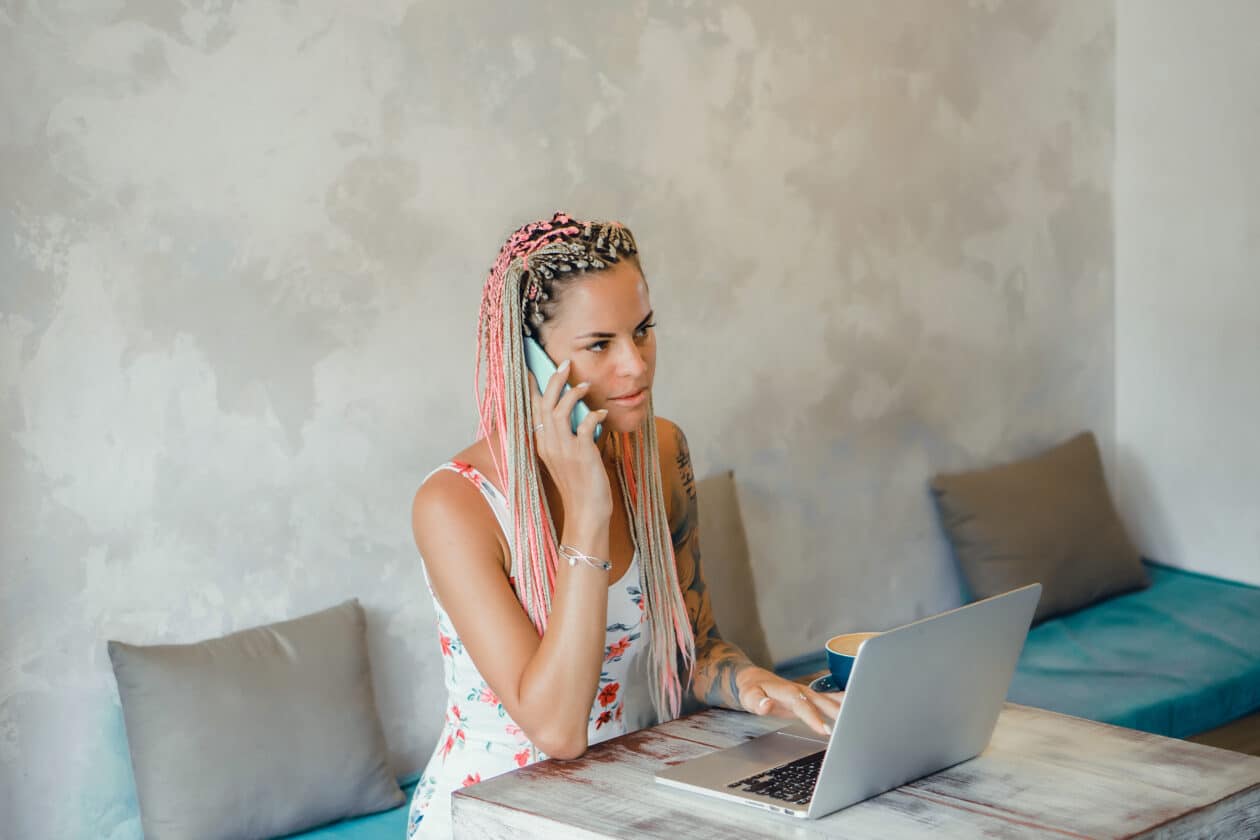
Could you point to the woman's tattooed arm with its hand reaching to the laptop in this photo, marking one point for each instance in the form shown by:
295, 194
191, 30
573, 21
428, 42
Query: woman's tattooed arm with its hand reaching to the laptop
723, 676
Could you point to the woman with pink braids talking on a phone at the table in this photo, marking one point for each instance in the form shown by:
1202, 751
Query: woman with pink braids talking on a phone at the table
565, 571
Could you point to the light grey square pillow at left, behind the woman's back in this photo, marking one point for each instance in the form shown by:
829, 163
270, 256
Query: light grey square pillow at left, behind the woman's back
260, 734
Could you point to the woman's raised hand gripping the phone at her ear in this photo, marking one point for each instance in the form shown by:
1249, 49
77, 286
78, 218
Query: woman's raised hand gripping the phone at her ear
573, 459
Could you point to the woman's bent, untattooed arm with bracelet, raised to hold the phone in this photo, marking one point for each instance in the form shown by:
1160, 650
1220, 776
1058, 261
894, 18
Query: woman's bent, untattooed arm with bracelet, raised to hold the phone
547, 684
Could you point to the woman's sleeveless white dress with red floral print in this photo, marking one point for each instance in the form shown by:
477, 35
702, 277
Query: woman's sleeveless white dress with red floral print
479, 740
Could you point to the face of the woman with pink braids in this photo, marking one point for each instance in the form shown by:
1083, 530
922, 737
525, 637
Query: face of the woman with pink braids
604, 326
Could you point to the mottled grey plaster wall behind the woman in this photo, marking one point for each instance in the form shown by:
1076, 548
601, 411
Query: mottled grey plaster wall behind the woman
241, 250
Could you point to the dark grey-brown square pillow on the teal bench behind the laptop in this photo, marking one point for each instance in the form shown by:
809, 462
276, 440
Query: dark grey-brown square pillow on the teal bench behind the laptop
1045, 519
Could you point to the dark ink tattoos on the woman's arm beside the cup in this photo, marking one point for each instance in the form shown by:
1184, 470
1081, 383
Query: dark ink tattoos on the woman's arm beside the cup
718, 663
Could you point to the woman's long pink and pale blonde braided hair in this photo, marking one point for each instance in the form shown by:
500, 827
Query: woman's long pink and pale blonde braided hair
520, 297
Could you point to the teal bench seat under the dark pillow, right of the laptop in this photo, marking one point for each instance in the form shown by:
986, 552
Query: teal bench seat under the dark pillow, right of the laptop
1176, 659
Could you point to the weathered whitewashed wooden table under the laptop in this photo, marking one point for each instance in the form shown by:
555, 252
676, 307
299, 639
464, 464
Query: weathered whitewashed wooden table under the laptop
1044, 775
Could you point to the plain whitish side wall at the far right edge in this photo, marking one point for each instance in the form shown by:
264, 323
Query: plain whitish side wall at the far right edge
1188, 247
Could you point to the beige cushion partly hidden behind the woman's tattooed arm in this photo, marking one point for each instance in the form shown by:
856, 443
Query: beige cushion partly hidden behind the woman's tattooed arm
728, 570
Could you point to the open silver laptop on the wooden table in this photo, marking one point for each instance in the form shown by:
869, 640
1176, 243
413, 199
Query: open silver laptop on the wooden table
922, 698
